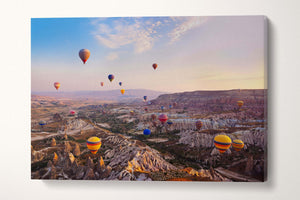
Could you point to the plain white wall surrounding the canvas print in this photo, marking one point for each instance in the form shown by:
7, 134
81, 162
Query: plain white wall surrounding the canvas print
284, 131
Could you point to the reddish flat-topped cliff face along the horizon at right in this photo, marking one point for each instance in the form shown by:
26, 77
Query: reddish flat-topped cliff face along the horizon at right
208, 102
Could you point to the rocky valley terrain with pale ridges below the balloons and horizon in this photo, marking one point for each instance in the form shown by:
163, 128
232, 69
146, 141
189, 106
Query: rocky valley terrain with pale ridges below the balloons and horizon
177, 152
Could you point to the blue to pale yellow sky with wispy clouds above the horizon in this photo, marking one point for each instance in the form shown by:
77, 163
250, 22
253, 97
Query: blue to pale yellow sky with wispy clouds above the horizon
192, 53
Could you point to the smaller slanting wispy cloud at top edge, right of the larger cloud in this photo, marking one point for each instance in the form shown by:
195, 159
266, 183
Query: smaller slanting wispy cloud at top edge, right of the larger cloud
184, 25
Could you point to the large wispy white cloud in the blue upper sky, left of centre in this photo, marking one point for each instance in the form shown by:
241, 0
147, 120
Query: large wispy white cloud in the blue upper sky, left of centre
140, 35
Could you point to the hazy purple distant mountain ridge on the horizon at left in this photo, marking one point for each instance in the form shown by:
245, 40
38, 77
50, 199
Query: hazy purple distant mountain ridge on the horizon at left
110, 95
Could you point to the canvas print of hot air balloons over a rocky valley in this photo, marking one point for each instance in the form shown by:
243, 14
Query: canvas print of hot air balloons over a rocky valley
149, 98
